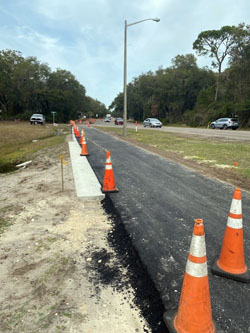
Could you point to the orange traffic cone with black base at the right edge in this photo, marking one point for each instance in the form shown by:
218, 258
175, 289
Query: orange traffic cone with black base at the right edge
231, 262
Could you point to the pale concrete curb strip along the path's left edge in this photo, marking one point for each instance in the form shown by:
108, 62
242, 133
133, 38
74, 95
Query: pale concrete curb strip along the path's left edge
86, 182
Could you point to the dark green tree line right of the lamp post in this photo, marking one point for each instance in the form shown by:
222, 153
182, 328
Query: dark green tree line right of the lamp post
186, 93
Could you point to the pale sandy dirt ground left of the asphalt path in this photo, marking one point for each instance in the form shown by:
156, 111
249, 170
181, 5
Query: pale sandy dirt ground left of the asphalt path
52, 252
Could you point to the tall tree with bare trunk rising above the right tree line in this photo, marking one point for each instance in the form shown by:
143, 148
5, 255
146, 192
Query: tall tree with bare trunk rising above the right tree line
218, 44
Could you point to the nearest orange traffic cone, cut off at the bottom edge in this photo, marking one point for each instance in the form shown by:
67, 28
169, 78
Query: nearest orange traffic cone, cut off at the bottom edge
194, 313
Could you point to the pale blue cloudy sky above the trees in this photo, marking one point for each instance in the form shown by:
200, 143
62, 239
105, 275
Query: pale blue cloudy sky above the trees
86, 37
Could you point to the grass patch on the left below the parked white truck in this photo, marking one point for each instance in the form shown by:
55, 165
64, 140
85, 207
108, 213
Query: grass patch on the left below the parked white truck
18, 141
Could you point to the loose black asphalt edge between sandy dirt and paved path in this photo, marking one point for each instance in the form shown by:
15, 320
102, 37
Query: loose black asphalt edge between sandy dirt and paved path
146, 297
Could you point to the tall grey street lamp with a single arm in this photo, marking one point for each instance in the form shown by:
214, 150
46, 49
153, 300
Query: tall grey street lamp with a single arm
125, 71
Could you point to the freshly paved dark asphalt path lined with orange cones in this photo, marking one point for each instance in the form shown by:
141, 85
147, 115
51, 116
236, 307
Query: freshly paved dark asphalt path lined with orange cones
158, 201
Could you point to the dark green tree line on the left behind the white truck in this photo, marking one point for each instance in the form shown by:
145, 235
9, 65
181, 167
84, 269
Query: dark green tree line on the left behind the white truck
28, 86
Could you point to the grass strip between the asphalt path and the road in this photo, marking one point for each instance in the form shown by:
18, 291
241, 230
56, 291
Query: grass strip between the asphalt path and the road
232, 156
